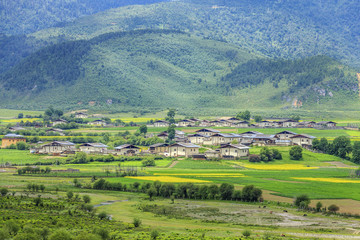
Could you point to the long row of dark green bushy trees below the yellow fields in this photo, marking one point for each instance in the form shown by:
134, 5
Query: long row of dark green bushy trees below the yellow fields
225, 191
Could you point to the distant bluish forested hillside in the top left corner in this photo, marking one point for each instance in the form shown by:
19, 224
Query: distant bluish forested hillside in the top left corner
19, 16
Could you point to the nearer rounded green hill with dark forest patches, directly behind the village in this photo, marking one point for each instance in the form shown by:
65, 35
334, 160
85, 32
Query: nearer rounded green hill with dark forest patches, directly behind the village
156, 69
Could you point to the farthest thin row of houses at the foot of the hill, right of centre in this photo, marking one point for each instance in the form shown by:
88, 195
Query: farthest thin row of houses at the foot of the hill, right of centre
234, 122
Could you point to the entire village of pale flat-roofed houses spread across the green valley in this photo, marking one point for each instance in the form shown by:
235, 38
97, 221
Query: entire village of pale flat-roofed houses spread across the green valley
215, 144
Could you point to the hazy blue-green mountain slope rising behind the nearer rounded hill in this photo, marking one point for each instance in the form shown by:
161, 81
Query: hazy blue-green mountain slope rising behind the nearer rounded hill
287, 29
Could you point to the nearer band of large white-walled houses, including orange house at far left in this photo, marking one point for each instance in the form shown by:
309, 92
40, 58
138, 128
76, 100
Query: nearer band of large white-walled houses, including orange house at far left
231, 145
